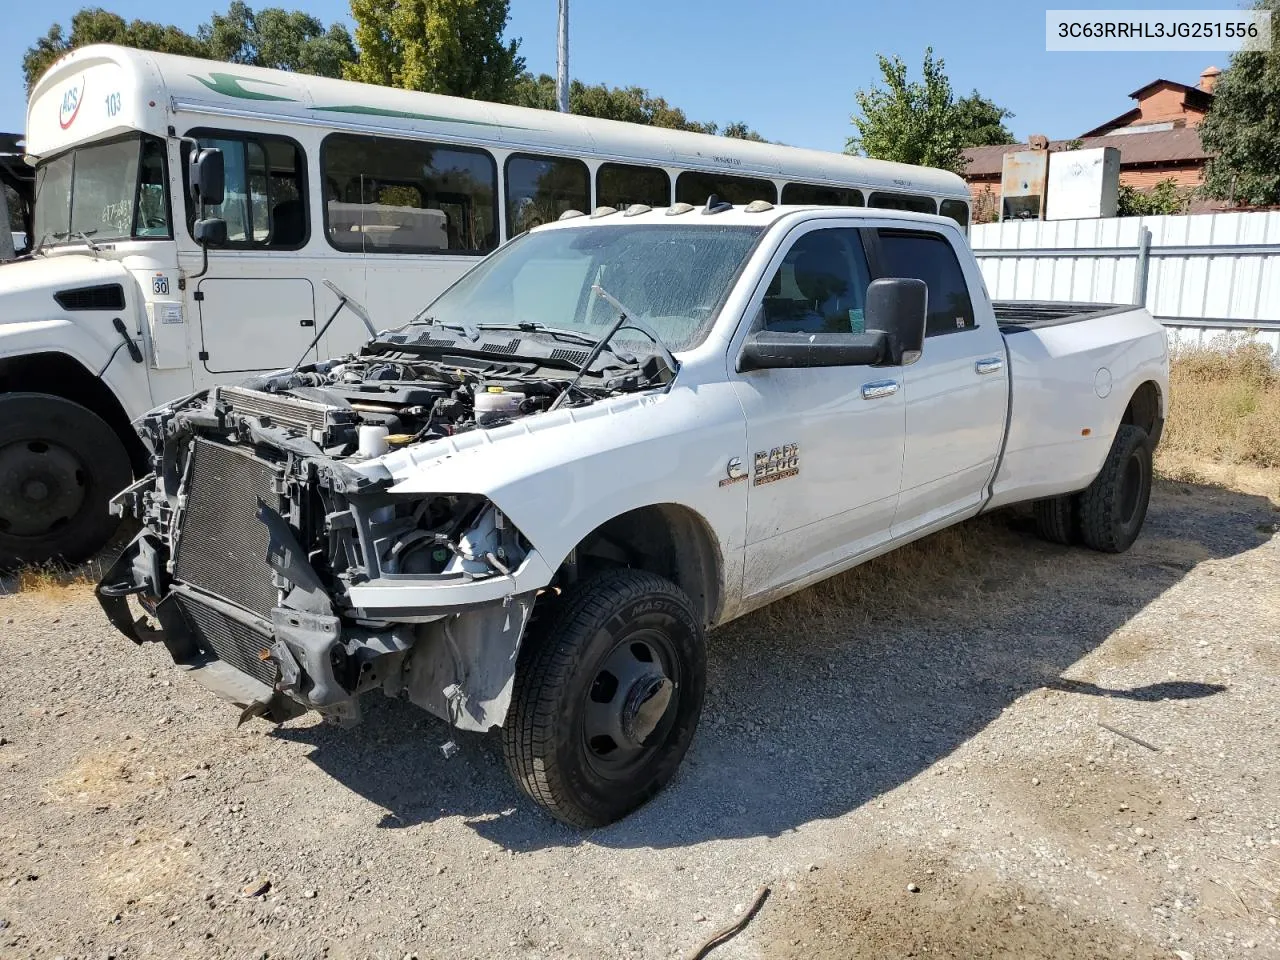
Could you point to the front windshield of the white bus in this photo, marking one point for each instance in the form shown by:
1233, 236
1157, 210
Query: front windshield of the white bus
104, 191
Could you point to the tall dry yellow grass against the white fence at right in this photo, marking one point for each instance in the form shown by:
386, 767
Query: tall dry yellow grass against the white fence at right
1224, 408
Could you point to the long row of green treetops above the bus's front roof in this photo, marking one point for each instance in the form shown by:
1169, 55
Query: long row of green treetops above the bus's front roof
287, 40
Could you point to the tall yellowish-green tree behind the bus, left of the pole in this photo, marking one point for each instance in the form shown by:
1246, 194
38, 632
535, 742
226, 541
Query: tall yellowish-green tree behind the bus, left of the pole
441, 47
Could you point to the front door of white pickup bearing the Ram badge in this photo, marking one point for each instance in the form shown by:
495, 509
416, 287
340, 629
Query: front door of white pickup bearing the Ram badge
826, 444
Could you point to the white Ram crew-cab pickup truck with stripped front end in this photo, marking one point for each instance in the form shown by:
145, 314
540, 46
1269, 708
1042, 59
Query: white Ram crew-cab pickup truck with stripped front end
621, 431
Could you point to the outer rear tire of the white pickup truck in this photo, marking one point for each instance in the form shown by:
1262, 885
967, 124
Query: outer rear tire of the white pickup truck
1114, 506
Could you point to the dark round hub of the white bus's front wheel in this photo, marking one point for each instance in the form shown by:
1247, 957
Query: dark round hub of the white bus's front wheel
42, 488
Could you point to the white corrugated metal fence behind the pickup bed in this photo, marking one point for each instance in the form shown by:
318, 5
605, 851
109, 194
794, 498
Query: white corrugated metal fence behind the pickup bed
1201, 276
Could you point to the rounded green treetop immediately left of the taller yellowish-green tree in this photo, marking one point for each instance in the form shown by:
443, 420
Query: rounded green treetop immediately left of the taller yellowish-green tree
285, 40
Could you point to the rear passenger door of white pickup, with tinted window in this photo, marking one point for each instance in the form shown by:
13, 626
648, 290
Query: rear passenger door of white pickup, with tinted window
958, 391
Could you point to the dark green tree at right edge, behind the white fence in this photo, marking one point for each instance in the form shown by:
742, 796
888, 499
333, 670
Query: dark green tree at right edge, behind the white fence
1244, 127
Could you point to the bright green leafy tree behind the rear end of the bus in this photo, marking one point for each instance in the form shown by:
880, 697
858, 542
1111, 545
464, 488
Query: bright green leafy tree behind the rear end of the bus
921, 122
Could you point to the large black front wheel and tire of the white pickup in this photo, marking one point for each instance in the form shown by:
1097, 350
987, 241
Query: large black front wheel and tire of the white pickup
565, 711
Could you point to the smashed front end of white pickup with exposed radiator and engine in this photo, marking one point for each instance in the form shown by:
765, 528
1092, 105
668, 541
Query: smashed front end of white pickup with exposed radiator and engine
278, 565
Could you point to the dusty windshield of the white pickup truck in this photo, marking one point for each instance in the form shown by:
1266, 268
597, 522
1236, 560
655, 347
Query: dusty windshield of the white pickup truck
674, 276
